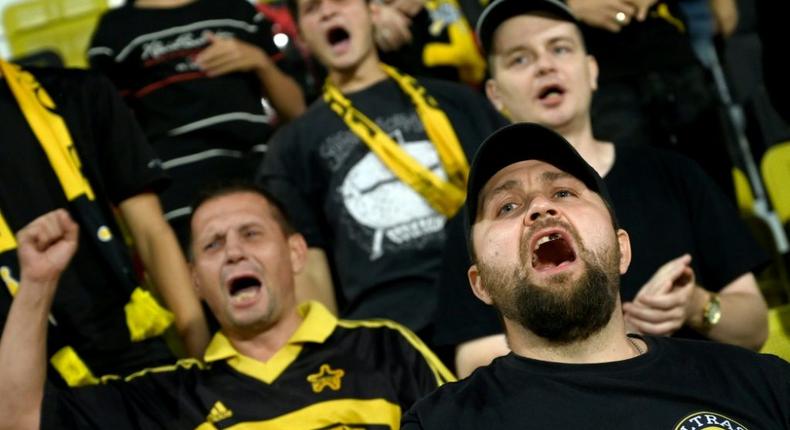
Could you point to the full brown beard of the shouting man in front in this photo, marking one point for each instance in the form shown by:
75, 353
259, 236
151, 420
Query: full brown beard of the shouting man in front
564, 310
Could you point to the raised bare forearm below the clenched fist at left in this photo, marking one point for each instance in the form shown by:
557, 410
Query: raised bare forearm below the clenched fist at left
23, 360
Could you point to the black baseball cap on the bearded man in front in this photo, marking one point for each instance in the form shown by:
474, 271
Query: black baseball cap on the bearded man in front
527, 141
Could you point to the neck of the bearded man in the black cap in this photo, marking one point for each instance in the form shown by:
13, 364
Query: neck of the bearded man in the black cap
607, 345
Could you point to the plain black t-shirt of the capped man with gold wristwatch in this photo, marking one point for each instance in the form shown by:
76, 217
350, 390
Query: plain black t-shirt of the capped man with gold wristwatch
667, 205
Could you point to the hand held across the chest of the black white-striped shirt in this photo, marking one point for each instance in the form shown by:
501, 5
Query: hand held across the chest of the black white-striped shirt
227, 54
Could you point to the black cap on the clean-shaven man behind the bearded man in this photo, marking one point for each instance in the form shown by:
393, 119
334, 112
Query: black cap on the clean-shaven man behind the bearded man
500, 10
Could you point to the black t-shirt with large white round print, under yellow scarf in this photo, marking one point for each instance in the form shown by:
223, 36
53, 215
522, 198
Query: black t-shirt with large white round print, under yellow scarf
385, 241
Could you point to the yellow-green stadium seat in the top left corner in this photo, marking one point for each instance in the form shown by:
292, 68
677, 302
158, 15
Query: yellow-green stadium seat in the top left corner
62, 26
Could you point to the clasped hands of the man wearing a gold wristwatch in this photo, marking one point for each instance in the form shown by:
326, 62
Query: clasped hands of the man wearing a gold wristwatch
664, 303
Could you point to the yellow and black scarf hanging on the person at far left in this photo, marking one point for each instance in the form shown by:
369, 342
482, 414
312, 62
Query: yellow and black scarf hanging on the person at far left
144, 317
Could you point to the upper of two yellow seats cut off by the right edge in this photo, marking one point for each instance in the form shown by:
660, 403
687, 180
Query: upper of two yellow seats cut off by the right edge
775, 168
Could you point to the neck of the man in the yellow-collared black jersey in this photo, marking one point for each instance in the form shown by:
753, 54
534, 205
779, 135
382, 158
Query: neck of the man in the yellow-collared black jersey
263, 344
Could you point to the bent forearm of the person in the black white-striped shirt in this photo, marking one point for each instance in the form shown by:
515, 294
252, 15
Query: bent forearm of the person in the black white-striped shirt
282, 91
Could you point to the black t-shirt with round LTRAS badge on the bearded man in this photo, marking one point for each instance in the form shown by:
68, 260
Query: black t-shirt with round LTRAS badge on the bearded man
677, 384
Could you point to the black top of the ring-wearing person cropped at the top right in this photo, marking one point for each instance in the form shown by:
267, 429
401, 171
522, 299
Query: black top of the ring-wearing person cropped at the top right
659, 43
